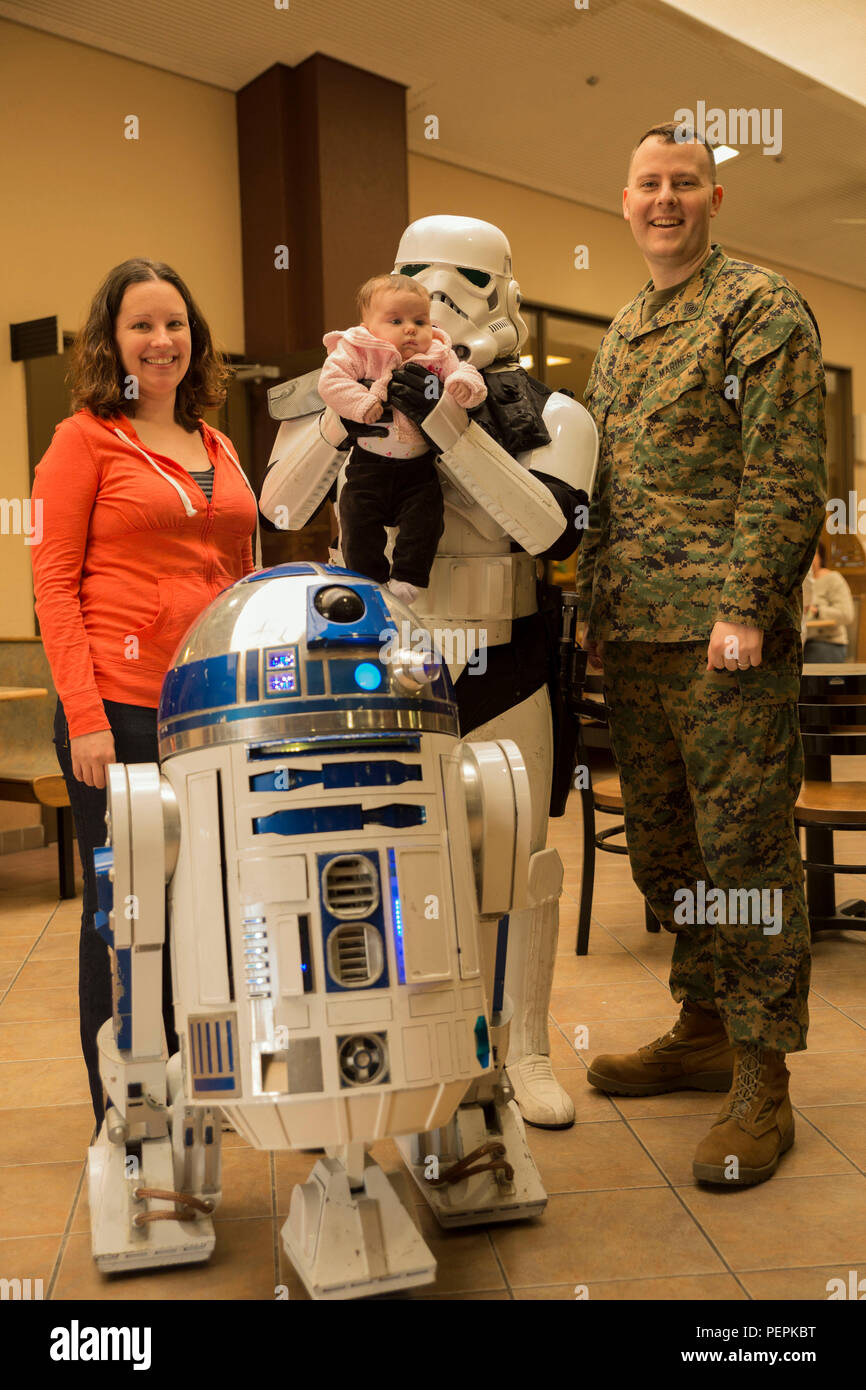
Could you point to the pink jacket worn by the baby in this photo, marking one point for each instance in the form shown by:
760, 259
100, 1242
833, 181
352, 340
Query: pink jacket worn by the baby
357, 354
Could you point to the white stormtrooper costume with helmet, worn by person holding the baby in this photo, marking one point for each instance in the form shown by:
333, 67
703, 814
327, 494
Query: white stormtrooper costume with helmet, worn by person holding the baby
515, 477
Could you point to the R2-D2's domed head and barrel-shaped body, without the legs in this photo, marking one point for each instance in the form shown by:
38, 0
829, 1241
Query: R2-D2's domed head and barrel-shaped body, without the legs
323, 906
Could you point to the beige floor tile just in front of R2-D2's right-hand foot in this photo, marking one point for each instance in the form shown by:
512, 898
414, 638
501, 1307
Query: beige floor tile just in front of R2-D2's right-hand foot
586, 1236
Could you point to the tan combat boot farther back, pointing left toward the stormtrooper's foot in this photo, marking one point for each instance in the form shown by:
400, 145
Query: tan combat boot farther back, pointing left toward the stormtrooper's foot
694, 1056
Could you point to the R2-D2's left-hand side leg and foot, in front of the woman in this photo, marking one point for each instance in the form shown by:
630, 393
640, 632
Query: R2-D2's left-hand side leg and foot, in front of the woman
155, 1168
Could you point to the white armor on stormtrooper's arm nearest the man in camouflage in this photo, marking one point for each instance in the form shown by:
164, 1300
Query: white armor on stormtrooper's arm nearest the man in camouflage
519, 502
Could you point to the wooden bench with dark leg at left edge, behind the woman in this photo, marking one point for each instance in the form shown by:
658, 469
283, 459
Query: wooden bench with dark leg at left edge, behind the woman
28, 762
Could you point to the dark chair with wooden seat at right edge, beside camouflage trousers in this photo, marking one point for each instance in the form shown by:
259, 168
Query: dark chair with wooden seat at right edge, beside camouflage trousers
833, 725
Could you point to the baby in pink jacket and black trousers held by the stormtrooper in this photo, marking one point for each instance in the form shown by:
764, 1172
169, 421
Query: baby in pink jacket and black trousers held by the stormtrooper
391, 477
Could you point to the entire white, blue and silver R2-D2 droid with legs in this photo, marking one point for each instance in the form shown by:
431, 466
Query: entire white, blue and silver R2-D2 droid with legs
330, 847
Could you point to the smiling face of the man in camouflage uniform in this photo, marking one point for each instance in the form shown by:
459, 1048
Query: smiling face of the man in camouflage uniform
669, 202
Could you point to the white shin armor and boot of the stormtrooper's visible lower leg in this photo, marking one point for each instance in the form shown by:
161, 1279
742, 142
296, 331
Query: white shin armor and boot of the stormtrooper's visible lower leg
539, 1095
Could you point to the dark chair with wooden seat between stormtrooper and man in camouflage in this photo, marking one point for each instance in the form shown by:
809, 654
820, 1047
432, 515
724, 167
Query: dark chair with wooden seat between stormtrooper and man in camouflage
601, 794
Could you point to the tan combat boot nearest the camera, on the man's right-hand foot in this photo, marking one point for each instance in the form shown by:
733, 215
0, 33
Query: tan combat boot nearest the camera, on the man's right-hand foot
755, 1125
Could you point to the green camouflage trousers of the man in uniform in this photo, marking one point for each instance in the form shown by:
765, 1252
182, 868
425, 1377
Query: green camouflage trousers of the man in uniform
711, 765
